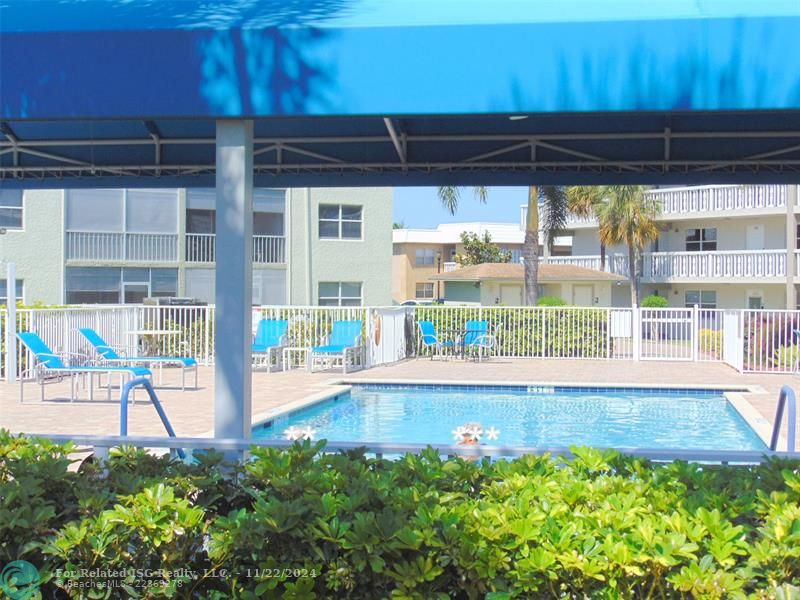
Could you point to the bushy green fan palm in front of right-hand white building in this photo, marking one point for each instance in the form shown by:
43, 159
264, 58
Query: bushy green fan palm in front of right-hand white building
627, 216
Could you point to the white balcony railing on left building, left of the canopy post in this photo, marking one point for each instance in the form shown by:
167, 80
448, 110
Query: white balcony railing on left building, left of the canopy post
120, 246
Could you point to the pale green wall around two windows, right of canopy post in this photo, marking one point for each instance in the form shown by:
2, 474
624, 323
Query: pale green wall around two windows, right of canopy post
368, 260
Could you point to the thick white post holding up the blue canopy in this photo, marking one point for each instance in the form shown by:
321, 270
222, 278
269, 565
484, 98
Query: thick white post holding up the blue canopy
234, 280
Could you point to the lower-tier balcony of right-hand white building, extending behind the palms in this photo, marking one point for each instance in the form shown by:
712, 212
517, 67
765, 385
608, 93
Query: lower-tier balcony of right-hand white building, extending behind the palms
690, 266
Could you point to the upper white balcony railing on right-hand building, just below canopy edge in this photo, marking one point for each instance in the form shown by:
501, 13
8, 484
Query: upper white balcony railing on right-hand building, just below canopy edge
709, 198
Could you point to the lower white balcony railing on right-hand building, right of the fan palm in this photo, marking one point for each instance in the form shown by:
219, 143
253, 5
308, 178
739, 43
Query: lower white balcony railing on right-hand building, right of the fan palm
661, 266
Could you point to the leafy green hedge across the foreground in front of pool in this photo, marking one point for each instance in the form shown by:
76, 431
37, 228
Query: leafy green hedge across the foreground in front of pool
342, 525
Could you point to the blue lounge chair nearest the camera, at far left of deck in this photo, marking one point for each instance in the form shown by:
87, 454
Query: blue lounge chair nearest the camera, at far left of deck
48, 364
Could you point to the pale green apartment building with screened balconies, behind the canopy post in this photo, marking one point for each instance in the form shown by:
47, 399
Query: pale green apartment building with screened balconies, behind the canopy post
326, 246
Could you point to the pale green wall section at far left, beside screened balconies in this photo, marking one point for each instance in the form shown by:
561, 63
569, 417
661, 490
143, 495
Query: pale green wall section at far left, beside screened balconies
38, 248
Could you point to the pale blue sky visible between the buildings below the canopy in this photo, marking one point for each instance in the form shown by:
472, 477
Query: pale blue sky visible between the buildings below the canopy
420, 206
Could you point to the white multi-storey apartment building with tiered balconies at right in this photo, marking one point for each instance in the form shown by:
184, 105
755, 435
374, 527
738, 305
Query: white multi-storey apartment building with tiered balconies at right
722, 246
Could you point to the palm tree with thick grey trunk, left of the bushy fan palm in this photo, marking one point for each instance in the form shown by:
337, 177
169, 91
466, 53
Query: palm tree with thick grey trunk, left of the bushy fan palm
552, 221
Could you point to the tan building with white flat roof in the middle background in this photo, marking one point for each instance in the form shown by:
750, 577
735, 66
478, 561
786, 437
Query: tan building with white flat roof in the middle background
420, 254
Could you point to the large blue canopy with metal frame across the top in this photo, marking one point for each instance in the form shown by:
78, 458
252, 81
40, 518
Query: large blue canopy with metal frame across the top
349, 92
